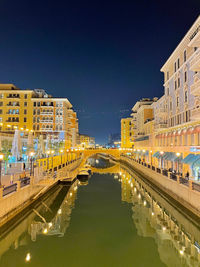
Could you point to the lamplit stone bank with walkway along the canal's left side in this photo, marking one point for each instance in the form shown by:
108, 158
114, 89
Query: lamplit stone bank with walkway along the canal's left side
16, 202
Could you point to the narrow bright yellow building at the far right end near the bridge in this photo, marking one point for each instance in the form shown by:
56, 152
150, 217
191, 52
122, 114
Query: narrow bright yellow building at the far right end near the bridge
127, 133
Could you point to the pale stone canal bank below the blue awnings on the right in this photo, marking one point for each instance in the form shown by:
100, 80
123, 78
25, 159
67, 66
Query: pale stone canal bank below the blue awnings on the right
186, 197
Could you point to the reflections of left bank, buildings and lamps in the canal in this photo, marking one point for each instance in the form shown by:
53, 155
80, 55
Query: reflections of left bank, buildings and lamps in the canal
52, 217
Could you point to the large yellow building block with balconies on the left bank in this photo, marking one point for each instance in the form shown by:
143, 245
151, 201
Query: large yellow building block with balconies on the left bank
37, 111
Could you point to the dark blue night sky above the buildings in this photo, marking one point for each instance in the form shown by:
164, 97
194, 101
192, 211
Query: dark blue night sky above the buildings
102, 55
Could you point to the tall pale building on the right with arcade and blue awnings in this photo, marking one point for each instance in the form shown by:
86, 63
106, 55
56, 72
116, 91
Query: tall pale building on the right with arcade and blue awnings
174, 139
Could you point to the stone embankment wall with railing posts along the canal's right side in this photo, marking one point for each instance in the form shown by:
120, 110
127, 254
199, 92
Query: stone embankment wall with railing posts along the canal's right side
185, 192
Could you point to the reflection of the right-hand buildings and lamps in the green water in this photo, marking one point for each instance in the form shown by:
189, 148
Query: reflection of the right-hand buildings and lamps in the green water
174, 234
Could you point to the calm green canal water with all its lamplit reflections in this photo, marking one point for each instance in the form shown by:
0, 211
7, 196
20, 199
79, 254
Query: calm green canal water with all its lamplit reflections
111, 220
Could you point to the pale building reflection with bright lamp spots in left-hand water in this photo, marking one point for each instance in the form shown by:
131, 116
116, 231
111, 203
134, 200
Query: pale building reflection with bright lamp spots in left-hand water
60, 222
